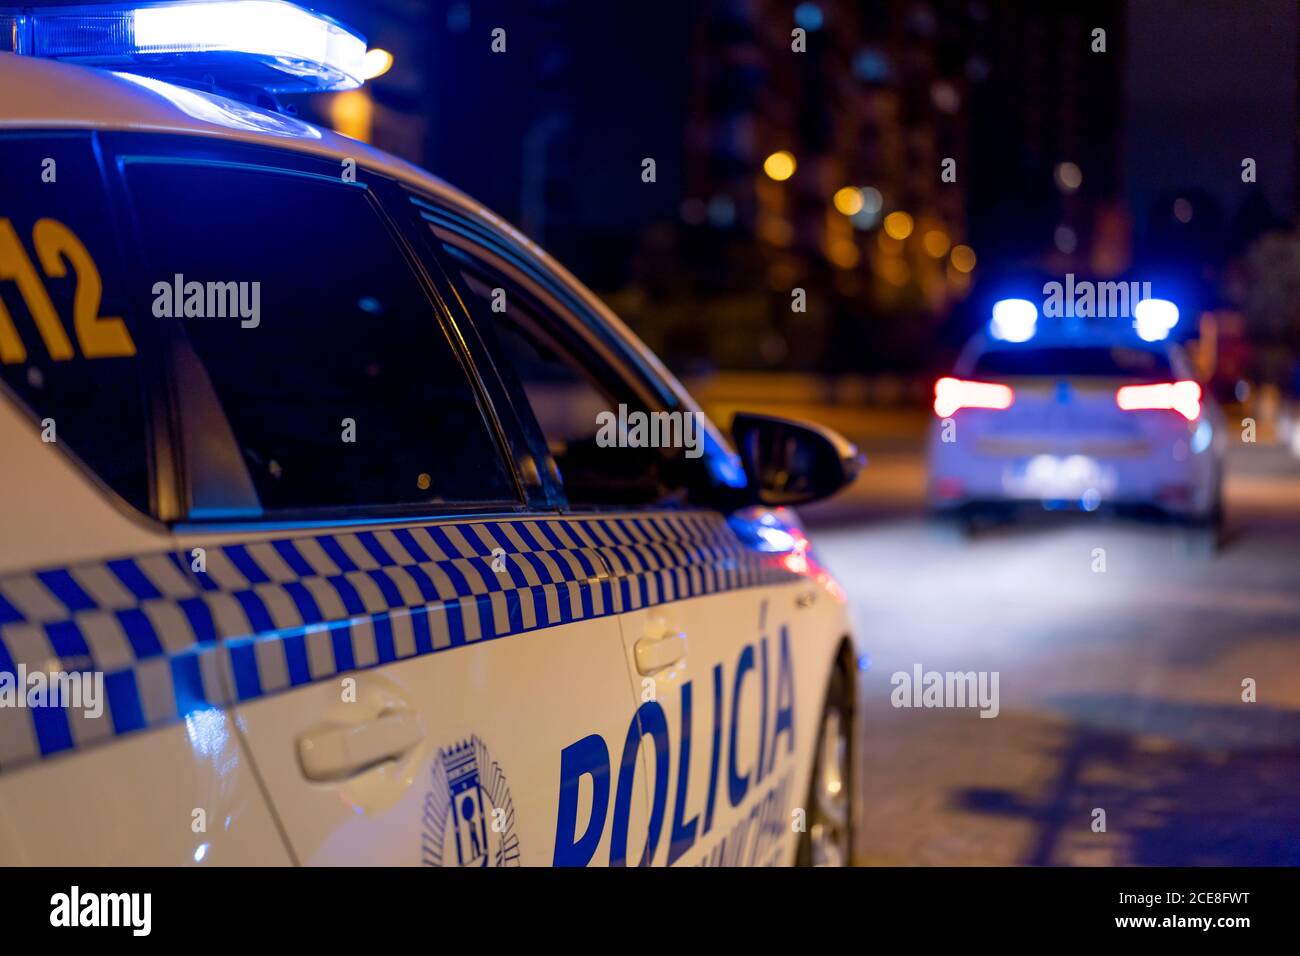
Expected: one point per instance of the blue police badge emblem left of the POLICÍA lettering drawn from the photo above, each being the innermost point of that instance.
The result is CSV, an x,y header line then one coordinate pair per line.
x,y
469,815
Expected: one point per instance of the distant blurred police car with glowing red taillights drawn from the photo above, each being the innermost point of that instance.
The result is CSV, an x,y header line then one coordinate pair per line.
x,y
1073,416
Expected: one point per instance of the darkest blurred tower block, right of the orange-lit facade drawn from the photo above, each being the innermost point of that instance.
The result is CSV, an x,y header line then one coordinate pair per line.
x,y
1048,137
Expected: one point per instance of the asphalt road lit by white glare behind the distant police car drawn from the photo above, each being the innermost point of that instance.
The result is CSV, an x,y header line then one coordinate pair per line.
x,y
1120,690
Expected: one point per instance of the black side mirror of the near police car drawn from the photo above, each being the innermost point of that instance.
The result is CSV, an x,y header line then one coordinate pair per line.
x,y
794,462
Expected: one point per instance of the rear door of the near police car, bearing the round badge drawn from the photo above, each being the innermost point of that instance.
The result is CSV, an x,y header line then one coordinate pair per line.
x,y
410,637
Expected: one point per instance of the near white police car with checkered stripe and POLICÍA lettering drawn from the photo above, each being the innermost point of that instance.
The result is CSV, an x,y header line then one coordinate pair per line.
x,y
332,533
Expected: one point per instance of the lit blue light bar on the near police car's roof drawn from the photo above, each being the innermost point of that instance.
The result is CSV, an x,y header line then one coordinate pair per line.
x,y
265,45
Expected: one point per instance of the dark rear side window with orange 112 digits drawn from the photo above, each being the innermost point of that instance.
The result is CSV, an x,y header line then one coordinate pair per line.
x,y
70,352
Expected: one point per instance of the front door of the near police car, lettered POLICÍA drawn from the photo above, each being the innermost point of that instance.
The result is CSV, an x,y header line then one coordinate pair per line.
x,y
710,608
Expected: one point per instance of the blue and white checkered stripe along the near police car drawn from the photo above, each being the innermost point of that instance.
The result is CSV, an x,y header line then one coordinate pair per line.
x,y
274,615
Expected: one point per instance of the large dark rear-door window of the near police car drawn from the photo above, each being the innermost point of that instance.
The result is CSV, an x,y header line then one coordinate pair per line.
x,y
322,345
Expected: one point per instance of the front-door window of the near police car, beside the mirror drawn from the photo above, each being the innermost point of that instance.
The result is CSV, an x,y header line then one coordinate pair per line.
x,y
578,401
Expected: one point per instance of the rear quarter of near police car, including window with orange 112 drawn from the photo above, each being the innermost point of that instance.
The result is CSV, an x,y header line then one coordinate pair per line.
x,y
109,756
